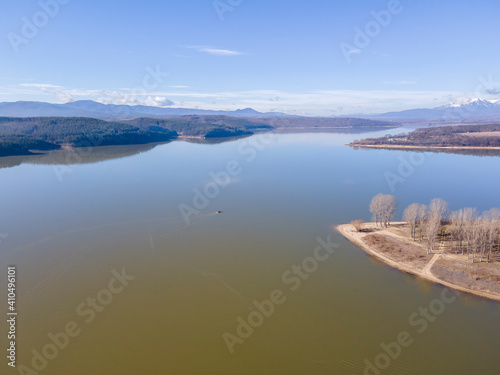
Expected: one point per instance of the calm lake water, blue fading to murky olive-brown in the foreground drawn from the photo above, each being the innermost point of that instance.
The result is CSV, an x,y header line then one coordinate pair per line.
x,y
68,226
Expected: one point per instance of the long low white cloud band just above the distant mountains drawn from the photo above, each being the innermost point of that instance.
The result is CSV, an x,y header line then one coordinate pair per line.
x,y
320,102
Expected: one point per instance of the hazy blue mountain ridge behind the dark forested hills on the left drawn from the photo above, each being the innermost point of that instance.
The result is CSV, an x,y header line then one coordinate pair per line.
x,y
89,108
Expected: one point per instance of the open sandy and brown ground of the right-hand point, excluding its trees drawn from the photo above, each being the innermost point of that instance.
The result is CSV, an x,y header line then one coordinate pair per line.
x,y
455,270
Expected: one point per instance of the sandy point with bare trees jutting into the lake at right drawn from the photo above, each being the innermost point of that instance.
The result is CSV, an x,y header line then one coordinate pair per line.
x,y
459,250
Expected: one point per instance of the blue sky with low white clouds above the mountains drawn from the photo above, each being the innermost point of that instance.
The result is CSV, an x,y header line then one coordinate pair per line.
x,y
314,57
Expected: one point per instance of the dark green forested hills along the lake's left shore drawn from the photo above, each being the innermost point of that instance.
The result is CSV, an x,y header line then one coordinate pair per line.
x,y
19,136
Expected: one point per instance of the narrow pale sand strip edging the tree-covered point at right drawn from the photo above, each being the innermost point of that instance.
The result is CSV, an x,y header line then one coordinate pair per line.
x,y
348,231
